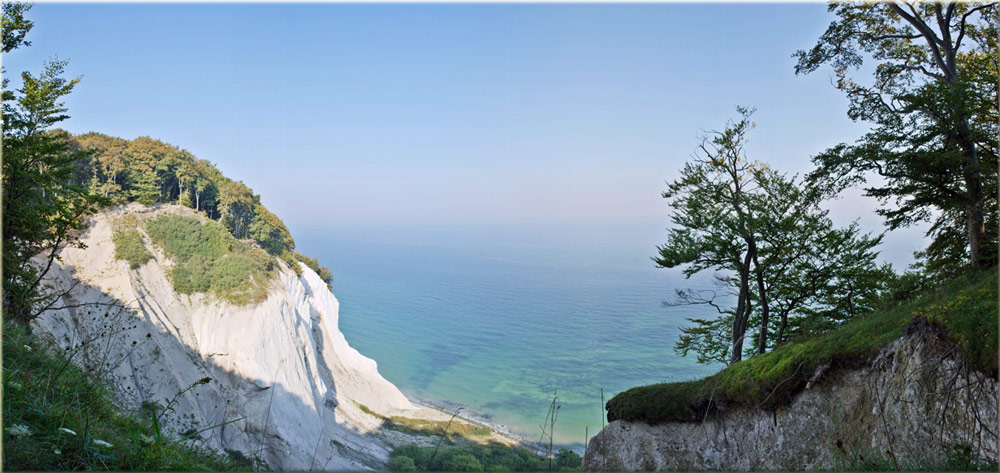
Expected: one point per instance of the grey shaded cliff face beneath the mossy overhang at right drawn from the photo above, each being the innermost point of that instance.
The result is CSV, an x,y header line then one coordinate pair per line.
x,y
917,401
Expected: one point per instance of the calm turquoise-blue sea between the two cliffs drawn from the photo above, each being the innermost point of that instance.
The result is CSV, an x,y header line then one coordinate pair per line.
x,y
496,319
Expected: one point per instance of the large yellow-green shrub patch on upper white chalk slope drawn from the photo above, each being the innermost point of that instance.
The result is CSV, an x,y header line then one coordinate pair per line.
x,y
207,259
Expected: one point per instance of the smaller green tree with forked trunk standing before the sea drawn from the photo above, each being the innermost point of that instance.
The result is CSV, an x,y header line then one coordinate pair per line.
x,y
775,250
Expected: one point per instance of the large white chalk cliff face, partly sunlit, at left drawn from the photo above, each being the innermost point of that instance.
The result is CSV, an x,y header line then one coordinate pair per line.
x,y
278,379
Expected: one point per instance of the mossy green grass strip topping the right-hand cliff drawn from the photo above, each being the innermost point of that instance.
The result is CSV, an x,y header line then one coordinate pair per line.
x,y
966,308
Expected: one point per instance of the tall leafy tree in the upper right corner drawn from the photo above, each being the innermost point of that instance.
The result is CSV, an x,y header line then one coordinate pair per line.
x,y
933,102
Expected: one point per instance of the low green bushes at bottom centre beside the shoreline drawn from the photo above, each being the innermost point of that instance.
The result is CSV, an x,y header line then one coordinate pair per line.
x,y
491,457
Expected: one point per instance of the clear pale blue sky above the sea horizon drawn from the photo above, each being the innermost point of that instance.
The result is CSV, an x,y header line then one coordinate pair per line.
x,y
448,113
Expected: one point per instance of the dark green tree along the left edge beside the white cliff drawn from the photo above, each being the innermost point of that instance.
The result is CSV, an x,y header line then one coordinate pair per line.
x,y
43,205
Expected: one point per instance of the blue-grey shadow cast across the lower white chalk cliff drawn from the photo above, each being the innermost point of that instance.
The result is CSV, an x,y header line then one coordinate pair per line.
x,y
147,361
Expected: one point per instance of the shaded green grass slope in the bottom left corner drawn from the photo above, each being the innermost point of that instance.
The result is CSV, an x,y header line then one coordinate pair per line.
x,y
58,417
